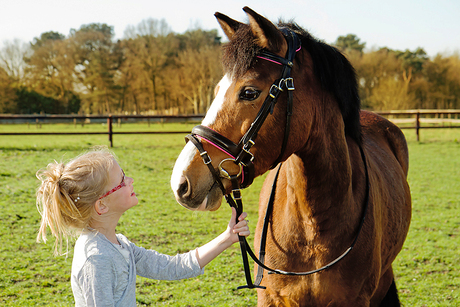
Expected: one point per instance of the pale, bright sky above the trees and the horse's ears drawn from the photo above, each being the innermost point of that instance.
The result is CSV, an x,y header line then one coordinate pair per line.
x,y
433,25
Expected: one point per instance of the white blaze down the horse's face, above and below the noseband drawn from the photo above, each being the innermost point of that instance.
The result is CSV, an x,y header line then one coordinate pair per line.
x,y
178,176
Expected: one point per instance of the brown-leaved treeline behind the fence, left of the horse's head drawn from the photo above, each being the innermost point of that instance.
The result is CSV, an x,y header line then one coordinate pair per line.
x,y
151,70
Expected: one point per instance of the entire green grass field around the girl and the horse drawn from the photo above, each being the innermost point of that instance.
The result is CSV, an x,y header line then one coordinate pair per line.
x,y
427,269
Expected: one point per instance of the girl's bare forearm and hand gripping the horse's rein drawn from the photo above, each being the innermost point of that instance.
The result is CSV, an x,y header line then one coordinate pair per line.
x,y
211,250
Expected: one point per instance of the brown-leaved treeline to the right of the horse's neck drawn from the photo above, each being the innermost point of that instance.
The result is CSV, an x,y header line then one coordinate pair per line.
x,y
394,80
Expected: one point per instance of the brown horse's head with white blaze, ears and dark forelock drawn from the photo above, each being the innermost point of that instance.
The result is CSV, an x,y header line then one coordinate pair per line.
x,y
256,58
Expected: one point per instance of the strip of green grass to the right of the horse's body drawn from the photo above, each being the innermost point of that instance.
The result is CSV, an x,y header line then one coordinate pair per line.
x,y
428,266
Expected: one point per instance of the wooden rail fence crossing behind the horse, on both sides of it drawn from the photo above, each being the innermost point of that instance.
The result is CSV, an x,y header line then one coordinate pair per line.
x,y
431,119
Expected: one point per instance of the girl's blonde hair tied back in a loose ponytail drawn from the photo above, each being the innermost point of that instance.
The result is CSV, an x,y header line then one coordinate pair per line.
x,y
68,192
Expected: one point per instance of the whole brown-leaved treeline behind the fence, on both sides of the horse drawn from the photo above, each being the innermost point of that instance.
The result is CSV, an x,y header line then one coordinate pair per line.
x,y
154,70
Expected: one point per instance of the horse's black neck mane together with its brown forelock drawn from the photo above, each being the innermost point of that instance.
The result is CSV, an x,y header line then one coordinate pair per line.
x,y
334,72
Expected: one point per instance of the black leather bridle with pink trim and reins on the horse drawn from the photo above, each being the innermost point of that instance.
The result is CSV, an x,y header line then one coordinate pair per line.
x,y
240,155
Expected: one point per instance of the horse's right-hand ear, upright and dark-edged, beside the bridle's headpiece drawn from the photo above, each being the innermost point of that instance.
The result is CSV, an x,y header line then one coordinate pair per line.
x,y
267,34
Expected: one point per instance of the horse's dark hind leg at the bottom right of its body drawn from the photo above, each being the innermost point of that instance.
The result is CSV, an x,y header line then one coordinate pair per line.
x,y
386,295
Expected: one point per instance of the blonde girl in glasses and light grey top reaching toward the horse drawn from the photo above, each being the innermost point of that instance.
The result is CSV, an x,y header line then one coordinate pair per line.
x,y
89,194
